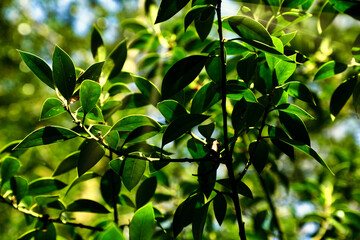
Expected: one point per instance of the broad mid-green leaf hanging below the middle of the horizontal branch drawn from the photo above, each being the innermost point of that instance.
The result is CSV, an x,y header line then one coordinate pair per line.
x,y
133,171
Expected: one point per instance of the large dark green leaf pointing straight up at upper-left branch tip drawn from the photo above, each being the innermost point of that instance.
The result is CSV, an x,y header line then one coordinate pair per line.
x,y
63,73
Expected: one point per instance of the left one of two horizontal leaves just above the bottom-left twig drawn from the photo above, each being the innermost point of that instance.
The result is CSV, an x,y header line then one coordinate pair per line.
x,y
45,185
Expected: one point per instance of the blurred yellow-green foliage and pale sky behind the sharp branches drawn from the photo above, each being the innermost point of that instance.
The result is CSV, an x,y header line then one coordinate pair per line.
x,y
310,202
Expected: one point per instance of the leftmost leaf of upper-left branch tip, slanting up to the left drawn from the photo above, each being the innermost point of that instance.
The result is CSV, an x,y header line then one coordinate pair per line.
x,y
39,67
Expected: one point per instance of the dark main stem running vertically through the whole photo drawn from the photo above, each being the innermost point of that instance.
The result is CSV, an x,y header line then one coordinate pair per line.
x,y
227,154
